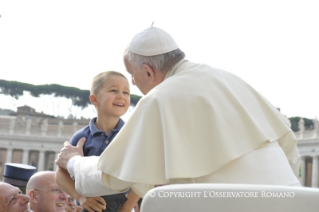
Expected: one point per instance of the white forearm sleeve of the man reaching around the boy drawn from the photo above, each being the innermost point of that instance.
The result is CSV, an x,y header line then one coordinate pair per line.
x,y
88,178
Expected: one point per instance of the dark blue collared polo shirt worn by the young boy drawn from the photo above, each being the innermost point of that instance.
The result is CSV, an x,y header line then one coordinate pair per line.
x,y
96,140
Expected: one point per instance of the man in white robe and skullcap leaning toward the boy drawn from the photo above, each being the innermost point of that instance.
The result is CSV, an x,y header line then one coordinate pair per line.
x,y
195,124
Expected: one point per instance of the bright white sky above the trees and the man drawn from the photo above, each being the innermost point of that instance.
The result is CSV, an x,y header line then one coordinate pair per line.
x,y
273,45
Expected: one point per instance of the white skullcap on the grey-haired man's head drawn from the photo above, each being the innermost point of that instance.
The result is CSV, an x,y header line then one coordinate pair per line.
x,y
152,41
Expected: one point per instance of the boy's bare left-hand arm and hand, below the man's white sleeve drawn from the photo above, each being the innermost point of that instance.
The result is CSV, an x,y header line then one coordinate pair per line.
x,y
64,180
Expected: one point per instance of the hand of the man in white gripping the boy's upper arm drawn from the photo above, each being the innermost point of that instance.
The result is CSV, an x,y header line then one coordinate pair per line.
x,y
68,151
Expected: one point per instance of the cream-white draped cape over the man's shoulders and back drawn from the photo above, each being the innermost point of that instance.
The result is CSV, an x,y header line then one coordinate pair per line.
x,y
191,125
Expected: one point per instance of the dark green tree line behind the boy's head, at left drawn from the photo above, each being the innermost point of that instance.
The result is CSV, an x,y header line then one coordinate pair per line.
x,y
79,97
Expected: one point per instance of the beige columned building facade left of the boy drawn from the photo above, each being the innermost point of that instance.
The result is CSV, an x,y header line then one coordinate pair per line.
x,y
34,140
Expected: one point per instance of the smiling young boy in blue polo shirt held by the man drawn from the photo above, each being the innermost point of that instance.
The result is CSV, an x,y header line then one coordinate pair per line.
x,y
110,94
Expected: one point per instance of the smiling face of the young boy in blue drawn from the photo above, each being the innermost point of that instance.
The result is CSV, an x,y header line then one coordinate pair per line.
x,y
113,98
